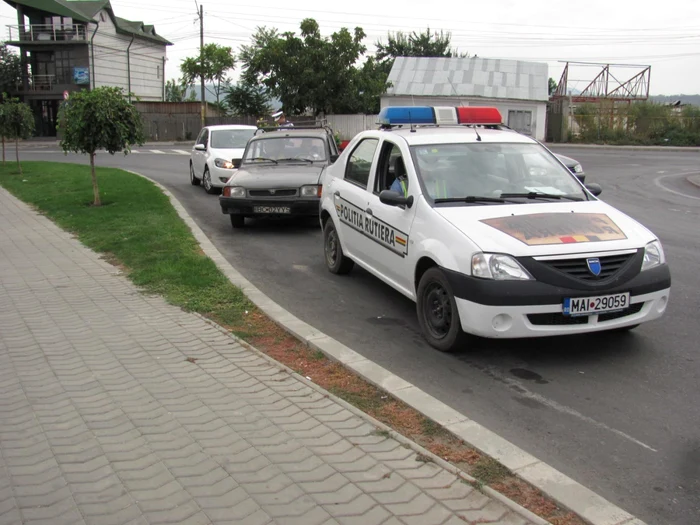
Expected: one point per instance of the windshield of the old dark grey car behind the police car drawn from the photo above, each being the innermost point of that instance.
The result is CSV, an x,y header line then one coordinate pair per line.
x,y
287,149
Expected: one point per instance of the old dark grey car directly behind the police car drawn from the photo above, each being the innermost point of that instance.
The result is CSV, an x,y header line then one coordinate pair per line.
x,y
280,174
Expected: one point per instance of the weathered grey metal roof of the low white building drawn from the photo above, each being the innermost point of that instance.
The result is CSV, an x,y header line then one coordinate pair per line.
x,y
469,77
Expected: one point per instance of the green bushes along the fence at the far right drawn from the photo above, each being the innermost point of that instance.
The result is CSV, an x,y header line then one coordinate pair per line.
x,y
641,123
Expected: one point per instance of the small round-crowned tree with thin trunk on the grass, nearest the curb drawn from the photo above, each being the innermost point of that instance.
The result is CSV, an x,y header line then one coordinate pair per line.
x,y
102,118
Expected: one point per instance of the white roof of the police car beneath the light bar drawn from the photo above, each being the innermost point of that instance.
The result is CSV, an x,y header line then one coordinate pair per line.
x,y
452,134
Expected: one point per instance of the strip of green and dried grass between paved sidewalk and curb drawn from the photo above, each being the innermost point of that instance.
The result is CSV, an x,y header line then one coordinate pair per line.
x,y
137,229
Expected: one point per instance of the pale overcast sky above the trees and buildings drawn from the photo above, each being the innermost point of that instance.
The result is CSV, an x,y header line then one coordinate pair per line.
x,y
664,35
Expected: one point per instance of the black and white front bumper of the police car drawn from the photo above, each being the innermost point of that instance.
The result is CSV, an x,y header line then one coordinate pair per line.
x,y
520,309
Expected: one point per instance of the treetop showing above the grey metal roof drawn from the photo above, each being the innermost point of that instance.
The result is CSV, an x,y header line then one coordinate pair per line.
x,y
421,44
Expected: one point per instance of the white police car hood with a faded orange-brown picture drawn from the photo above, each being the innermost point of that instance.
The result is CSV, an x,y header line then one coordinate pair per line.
x,y
547,228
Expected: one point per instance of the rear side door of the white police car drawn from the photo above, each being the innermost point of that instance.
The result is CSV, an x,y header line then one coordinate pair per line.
x,y
351,199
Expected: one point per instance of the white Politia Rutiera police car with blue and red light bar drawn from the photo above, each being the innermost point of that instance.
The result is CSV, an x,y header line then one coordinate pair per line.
x,y
486,230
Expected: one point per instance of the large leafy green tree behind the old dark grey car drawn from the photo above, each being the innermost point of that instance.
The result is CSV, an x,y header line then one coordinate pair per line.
x,y
311,72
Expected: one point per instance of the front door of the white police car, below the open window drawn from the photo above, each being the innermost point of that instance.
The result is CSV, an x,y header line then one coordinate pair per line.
x,y
390,226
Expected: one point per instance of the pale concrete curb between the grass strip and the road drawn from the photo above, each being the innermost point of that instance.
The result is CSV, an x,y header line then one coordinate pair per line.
x,y
593,508
